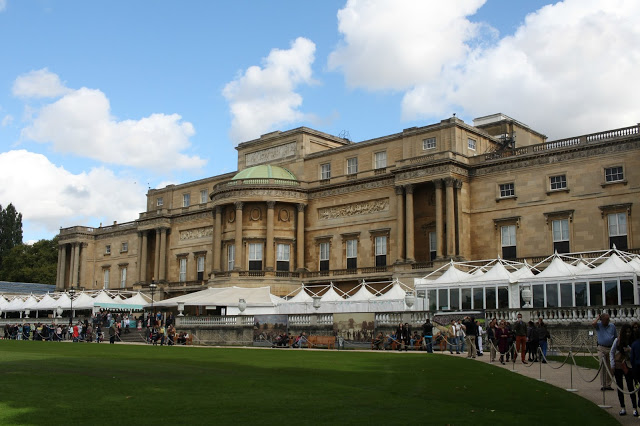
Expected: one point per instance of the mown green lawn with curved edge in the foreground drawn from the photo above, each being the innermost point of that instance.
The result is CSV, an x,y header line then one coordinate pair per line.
x,y
62,383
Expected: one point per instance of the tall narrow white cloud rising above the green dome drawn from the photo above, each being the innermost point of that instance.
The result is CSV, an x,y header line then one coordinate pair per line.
x,y
264,97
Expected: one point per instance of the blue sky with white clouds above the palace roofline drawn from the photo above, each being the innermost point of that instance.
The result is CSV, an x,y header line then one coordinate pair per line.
x,y
100,101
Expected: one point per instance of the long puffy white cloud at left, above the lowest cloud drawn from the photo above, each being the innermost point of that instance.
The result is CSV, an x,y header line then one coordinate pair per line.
x,y
81,123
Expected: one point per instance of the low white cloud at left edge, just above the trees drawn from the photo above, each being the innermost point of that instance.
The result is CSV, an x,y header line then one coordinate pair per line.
x,y
49,196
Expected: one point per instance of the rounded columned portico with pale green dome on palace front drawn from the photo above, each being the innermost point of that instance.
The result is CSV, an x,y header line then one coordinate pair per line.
x,y
259,223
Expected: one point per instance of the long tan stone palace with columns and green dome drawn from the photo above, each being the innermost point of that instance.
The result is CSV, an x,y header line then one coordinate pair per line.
x,y
308,207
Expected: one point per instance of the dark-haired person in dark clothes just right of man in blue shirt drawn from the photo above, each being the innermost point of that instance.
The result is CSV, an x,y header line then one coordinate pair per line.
x,y
619,361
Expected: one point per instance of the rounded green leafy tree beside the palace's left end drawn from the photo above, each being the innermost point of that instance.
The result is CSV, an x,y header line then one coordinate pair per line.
x,y
35,263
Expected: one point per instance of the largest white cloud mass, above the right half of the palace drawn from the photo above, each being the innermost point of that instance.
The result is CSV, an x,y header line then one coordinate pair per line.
x,y
570,68
